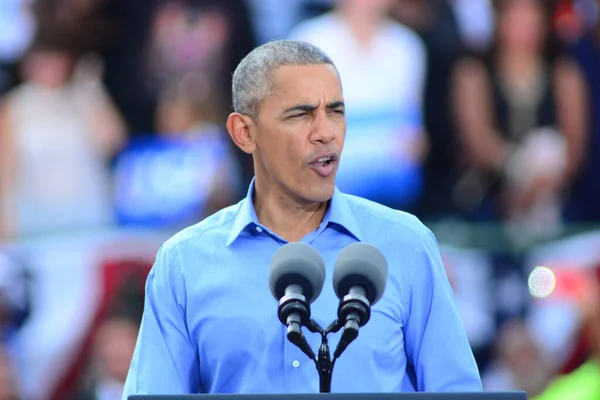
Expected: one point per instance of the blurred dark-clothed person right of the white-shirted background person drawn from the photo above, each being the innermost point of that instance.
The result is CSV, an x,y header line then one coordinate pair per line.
x,y
436,22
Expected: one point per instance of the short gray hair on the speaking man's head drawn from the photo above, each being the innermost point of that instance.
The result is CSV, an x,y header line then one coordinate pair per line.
x,y
252,77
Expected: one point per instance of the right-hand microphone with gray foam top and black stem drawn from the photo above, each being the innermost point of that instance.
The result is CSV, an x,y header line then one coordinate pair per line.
x,y
359,280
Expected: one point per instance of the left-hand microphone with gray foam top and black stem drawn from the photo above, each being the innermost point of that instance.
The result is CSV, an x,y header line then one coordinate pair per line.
x,y
296,279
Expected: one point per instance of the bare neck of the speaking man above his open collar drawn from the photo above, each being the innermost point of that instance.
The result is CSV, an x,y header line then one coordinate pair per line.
x,y
283,215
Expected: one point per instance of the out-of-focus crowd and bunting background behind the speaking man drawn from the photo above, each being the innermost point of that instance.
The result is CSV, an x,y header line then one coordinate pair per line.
x,y
481,117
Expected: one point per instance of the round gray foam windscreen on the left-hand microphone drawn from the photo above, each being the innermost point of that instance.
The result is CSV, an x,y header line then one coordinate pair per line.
x,y
297,263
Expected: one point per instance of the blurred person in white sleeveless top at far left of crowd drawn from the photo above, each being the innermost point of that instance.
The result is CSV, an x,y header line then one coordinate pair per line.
x,y
58,130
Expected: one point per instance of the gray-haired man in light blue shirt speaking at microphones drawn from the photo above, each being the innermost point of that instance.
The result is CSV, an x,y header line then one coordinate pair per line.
x,y
210,323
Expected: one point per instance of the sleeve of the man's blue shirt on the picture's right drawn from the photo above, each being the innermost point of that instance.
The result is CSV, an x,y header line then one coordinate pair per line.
x,y
436,342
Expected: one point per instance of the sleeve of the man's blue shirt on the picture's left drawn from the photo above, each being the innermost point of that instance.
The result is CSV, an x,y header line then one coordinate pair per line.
x,y
165,359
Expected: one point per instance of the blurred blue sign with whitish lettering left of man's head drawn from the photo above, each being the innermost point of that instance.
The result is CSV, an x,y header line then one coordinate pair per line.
x,y
162,181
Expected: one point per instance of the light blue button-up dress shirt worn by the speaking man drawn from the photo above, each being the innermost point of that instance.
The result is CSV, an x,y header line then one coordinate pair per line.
x,y
210,322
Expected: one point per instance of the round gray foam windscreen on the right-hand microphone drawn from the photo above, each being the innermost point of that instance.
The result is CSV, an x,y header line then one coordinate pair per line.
x,y
360,264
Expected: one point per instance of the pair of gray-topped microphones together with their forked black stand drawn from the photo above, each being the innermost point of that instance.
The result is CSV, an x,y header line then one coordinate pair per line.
x,y
296,280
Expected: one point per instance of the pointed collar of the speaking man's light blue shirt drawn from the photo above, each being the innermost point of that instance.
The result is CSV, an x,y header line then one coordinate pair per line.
x,y
338,213
